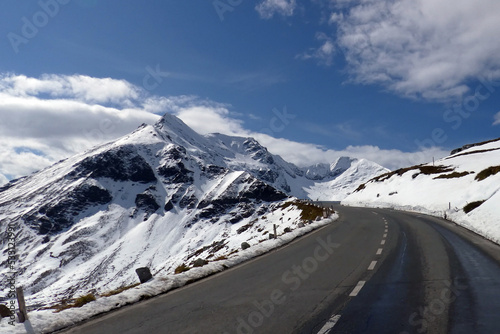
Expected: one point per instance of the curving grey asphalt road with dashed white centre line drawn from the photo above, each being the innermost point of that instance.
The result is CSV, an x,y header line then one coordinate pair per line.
x,y
371,271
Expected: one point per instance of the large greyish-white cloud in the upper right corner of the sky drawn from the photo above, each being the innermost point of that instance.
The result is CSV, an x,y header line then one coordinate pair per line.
x,y
421,49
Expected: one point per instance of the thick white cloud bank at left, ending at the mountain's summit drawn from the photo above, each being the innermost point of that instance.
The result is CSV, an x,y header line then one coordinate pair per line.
x,y
50,118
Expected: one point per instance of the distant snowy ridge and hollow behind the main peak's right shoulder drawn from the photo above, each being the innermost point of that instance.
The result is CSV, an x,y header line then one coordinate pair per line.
x,y
327,182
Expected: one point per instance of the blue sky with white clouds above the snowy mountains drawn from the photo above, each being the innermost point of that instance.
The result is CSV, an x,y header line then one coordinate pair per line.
x,y
394,81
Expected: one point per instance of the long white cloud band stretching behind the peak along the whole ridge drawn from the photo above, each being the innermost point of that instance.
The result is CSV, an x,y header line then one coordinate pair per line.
x,y
46,120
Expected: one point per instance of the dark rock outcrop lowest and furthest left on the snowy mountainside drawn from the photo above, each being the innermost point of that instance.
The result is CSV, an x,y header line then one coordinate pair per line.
x,y
54,217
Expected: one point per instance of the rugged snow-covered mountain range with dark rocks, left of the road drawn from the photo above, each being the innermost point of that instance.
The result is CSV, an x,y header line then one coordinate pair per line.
x,y
159,197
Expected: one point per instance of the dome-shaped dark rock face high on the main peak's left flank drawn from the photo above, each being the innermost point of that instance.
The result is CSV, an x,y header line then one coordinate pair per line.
x,y
121,164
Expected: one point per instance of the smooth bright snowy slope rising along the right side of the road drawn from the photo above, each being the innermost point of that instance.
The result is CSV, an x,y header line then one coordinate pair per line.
x,y
468,179
